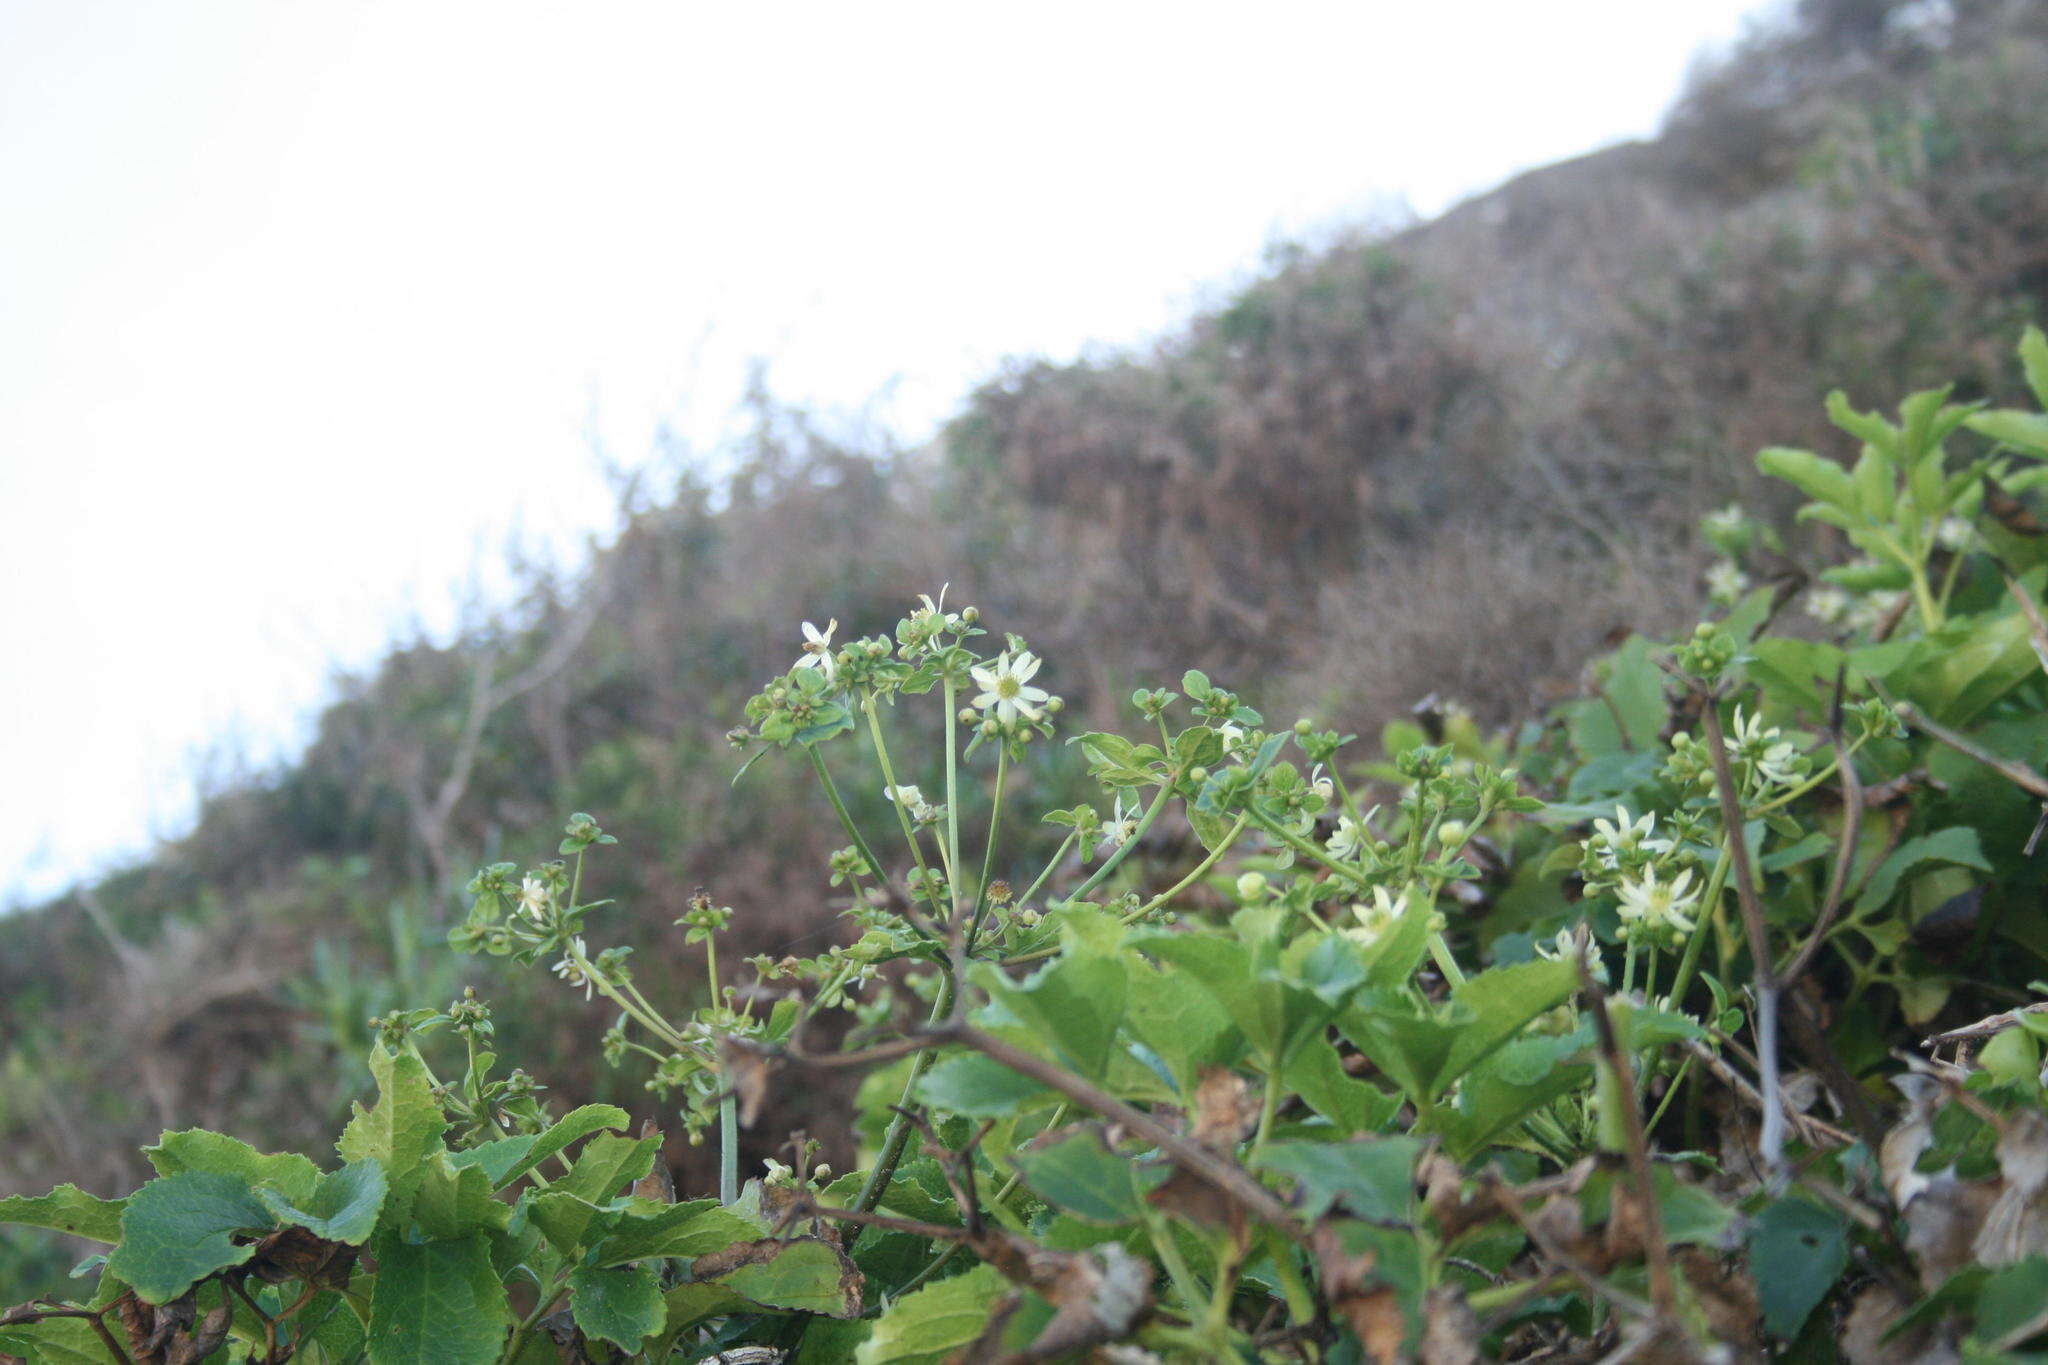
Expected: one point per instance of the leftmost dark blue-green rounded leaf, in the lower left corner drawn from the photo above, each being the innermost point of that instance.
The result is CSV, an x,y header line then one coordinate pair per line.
x,y
179,1229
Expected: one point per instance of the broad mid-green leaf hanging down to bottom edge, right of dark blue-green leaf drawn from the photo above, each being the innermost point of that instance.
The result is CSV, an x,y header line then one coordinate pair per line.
x,y
437,1305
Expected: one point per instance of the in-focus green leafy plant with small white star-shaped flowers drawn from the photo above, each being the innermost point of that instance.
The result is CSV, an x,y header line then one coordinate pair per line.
x,y
1469,1049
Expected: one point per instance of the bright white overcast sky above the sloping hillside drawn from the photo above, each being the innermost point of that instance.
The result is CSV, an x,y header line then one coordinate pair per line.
x,y
306,306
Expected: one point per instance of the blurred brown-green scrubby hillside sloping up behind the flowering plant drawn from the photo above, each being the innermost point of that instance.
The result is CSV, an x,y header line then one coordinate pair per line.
x,y
1451,459
